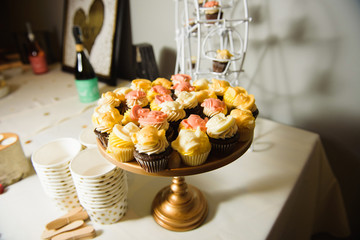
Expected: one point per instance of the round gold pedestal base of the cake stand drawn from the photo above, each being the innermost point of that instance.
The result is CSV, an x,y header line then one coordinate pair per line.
x,y
179,207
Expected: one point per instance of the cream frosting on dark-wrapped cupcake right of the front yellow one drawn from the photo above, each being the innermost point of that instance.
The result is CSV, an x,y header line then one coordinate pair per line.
x,y
221,126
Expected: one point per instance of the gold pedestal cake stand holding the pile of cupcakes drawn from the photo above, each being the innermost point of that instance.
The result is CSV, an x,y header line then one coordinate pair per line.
x,y
180,207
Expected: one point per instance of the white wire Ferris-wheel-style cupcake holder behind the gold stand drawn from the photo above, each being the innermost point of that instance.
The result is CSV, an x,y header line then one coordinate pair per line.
x,y
198,38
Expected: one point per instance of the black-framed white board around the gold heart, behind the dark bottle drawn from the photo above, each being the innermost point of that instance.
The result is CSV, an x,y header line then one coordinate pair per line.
x,y
105,53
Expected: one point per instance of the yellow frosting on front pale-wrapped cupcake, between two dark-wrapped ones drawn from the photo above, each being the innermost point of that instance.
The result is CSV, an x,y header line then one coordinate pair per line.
x,y
191,142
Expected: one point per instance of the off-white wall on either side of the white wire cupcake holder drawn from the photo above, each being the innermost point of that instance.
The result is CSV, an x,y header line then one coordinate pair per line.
x,y
302,65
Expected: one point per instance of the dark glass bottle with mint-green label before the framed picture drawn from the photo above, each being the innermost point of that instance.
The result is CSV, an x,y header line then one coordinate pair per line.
x,y
85,77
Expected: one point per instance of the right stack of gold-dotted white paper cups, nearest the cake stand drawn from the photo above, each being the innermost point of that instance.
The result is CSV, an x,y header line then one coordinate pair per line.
x,y
101,186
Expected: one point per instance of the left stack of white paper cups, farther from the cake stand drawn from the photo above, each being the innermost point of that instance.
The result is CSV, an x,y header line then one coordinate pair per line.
x,y
51,163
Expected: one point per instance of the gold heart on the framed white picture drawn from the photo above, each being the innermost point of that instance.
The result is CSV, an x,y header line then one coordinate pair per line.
x,y
90,25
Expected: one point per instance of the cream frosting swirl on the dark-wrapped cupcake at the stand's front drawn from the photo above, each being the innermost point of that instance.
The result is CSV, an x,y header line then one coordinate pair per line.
x,y
150,141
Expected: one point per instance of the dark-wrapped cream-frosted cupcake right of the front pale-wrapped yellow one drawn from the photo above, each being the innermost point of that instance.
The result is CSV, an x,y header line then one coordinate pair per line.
x,y
223,133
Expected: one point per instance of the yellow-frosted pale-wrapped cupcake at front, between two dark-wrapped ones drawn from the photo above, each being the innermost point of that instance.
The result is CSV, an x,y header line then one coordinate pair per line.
x,y
193,146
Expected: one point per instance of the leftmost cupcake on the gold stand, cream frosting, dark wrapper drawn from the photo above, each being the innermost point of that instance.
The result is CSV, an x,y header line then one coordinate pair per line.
x,y
104,119
